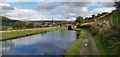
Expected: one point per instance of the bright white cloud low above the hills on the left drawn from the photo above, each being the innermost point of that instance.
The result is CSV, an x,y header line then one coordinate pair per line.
x,y
25,14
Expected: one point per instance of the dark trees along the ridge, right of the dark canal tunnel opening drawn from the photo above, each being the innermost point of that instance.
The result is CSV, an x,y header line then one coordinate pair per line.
x,y
80,20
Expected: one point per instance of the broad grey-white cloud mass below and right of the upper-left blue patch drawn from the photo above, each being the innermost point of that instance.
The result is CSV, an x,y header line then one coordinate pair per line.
x,y
57,10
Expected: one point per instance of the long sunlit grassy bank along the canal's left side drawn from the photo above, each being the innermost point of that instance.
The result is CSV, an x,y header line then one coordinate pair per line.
x,y
20,33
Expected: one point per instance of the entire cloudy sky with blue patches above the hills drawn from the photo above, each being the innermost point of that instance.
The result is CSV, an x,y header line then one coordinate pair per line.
x,y
60,10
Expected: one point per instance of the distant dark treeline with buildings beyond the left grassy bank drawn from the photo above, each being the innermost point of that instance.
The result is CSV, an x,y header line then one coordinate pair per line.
x,y
9,24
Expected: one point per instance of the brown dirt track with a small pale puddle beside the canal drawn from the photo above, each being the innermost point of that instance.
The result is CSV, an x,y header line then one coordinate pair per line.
x,y
91,48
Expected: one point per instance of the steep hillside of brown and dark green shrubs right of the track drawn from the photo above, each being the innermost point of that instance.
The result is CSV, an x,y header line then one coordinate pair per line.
x,y
106,29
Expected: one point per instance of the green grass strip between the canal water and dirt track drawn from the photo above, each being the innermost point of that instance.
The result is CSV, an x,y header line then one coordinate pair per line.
x,y
74,48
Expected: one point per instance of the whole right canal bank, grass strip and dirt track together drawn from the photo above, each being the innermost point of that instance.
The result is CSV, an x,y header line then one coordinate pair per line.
x,y
83,45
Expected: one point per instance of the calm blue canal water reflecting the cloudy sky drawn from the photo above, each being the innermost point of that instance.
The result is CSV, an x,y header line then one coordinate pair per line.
x,y
50,43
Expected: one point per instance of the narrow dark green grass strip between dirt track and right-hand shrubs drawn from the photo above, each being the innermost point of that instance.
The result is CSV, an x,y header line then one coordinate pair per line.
x,y
99,46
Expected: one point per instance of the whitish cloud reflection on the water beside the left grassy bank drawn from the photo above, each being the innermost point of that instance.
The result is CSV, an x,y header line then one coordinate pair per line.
x,y
26,40
